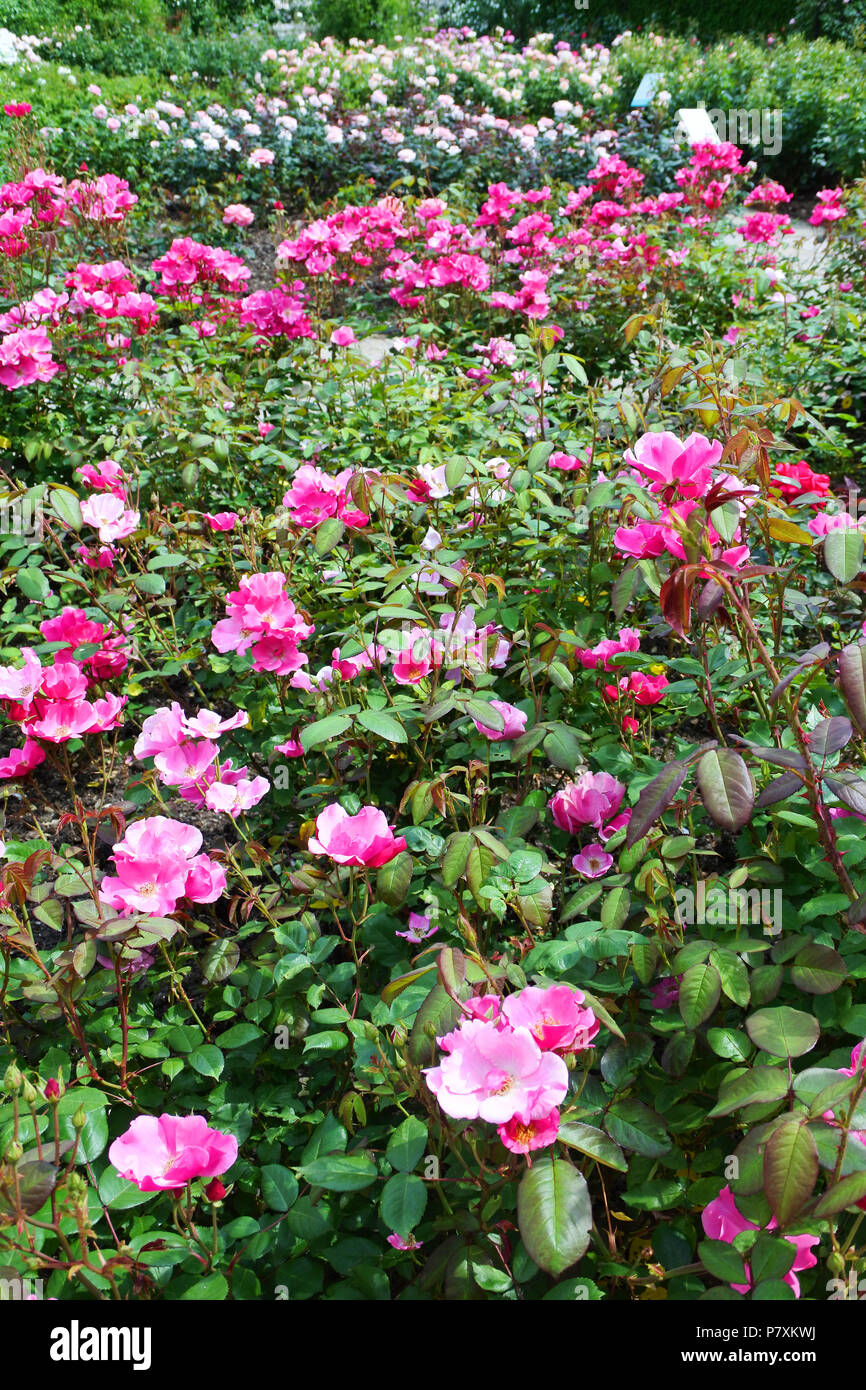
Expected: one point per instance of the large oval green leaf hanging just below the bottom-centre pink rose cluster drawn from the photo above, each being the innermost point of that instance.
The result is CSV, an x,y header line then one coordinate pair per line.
x,y
554,1214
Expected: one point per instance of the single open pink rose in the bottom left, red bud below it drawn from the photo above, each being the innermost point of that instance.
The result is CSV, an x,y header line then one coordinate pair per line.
x,y
168,1152
